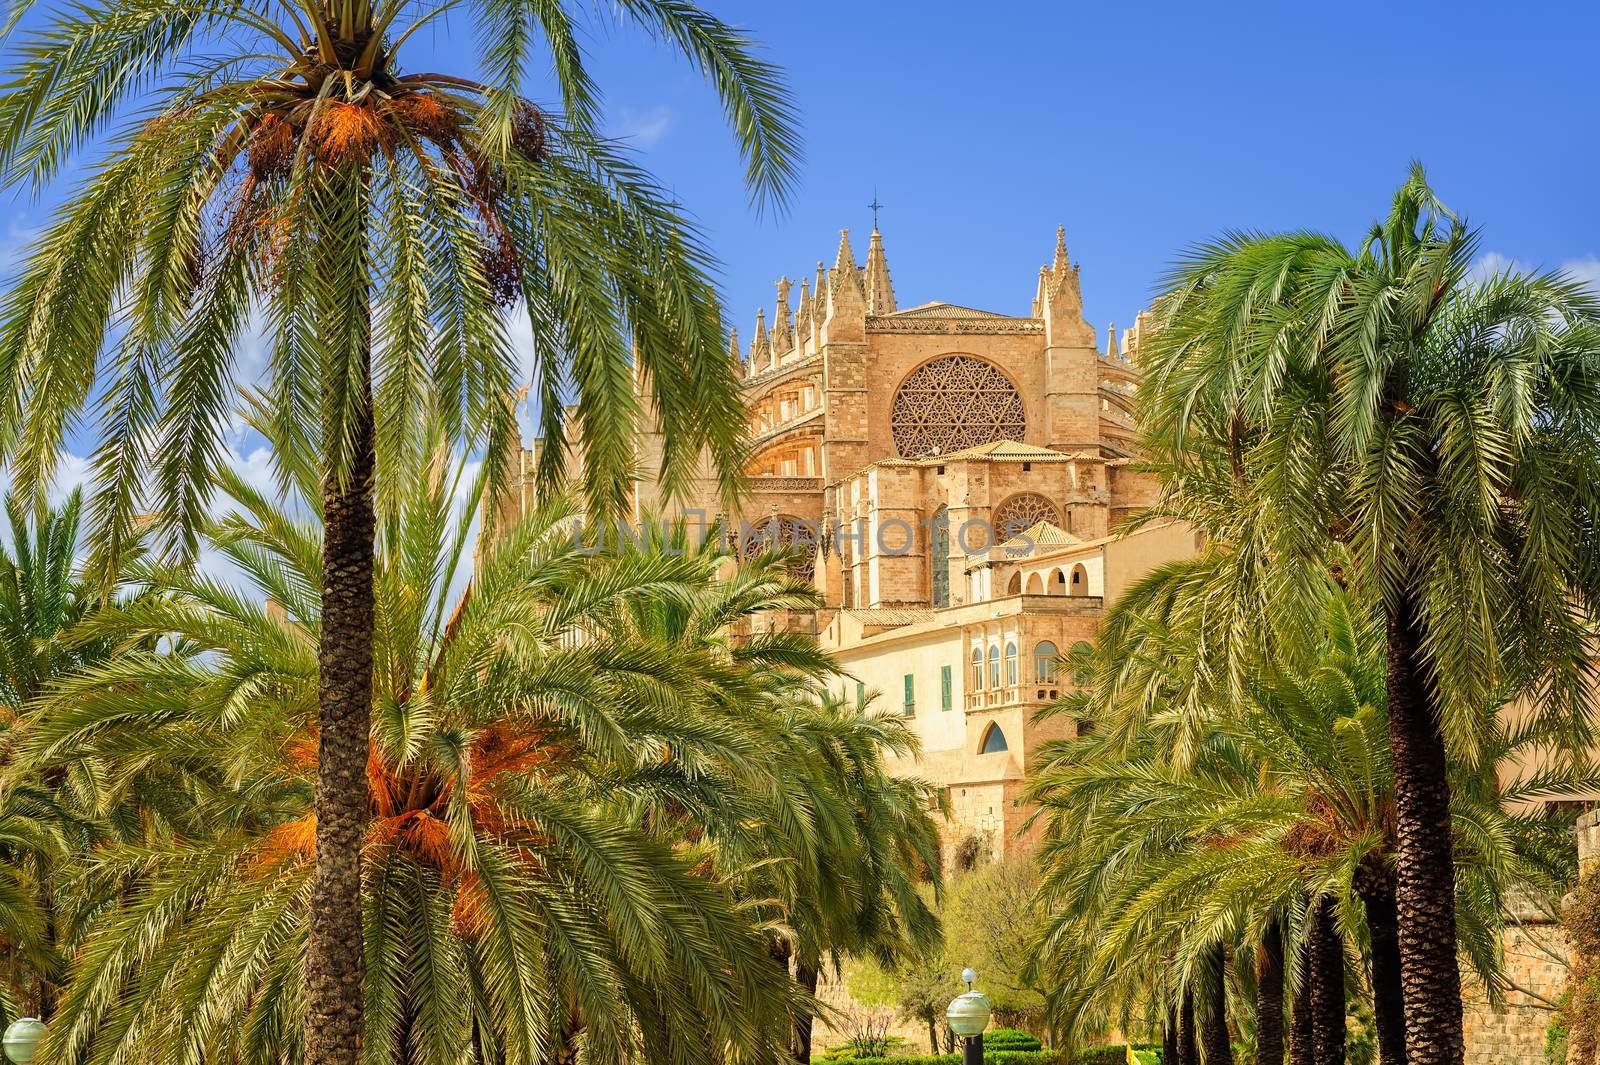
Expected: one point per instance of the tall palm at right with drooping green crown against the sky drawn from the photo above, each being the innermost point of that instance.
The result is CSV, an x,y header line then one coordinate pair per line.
x,y
1444,433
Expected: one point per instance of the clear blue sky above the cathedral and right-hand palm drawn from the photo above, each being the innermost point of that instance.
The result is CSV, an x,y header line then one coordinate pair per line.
x,y
1138,127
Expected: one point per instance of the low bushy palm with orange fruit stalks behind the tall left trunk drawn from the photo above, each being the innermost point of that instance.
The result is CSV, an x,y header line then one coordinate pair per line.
x,y
529,893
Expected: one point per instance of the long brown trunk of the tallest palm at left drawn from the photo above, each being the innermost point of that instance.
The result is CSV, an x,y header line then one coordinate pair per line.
x,y
335,971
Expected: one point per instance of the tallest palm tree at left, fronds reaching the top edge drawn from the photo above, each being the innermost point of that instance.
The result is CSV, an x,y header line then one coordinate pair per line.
x,y
386,220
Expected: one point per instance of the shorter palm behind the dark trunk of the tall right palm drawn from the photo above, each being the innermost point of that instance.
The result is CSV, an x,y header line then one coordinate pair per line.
x,y
1281,828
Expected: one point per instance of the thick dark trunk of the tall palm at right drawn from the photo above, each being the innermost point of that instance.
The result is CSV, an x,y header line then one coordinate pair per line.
x,y
1425,861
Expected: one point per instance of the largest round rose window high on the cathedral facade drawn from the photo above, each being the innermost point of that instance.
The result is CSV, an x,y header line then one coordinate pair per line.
x,y
951,404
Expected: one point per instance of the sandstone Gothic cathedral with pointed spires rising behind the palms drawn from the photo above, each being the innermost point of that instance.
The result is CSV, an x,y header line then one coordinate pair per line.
x,y
956,477
